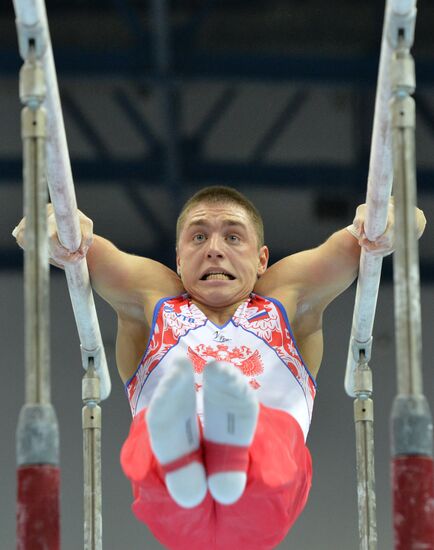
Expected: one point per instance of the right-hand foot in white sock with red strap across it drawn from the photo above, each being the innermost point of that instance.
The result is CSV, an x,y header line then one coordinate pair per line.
x,y
230,417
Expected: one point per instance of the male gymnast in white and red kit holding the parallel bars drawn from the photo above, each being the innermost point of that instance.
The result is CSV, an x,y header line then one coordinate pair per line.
x,y
219,362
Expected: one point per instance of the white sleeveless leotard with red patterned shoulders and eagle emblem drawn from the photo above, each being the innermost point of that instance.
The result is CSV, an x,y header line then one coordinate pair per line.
x,y
257,340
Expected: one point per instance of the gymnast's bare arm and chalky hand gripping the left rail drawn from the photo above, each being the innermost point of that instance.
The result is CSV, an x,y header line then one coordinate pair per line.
x,y
130,284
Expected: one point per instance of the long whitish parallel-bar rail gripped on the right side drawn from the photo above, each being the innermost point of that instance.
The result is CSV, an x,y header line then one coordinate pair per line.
x,y
400,17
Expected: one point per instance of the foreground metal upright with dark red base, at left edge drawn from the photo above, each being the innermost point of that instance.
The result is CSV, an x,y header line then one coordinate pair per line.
x,y
37,430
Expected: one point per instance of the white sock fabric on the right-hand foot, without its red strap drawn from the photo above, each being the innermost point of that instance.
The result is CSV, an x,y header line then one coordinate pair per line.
x,y
230,417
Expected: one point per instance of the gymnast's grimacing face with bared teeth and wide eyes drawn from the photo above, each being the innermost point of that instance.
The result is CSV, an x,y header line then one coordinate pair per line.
x,y
218,257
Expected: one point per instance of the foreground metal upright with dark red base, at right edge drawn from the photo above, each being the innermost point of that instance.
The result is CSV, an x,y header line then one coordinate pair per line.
x,y
412,437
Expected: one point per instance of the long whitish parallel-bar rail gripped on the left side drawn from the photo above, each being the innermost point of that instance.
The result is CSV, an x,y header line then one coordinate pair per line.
x,y
33,29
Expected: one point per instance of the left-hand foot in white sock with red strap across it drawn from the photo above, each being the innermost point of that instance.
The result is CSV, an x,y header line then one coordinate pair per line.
x,y
174,434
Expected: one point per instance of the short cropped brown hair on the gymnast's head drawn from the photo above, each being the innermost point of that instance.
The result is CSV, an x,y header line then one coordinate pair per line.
x,y
215,194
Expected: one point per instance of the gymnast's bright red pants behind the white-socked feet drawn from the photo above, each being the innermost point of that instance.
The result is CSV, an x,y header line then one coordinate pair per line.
x,y
278,483
